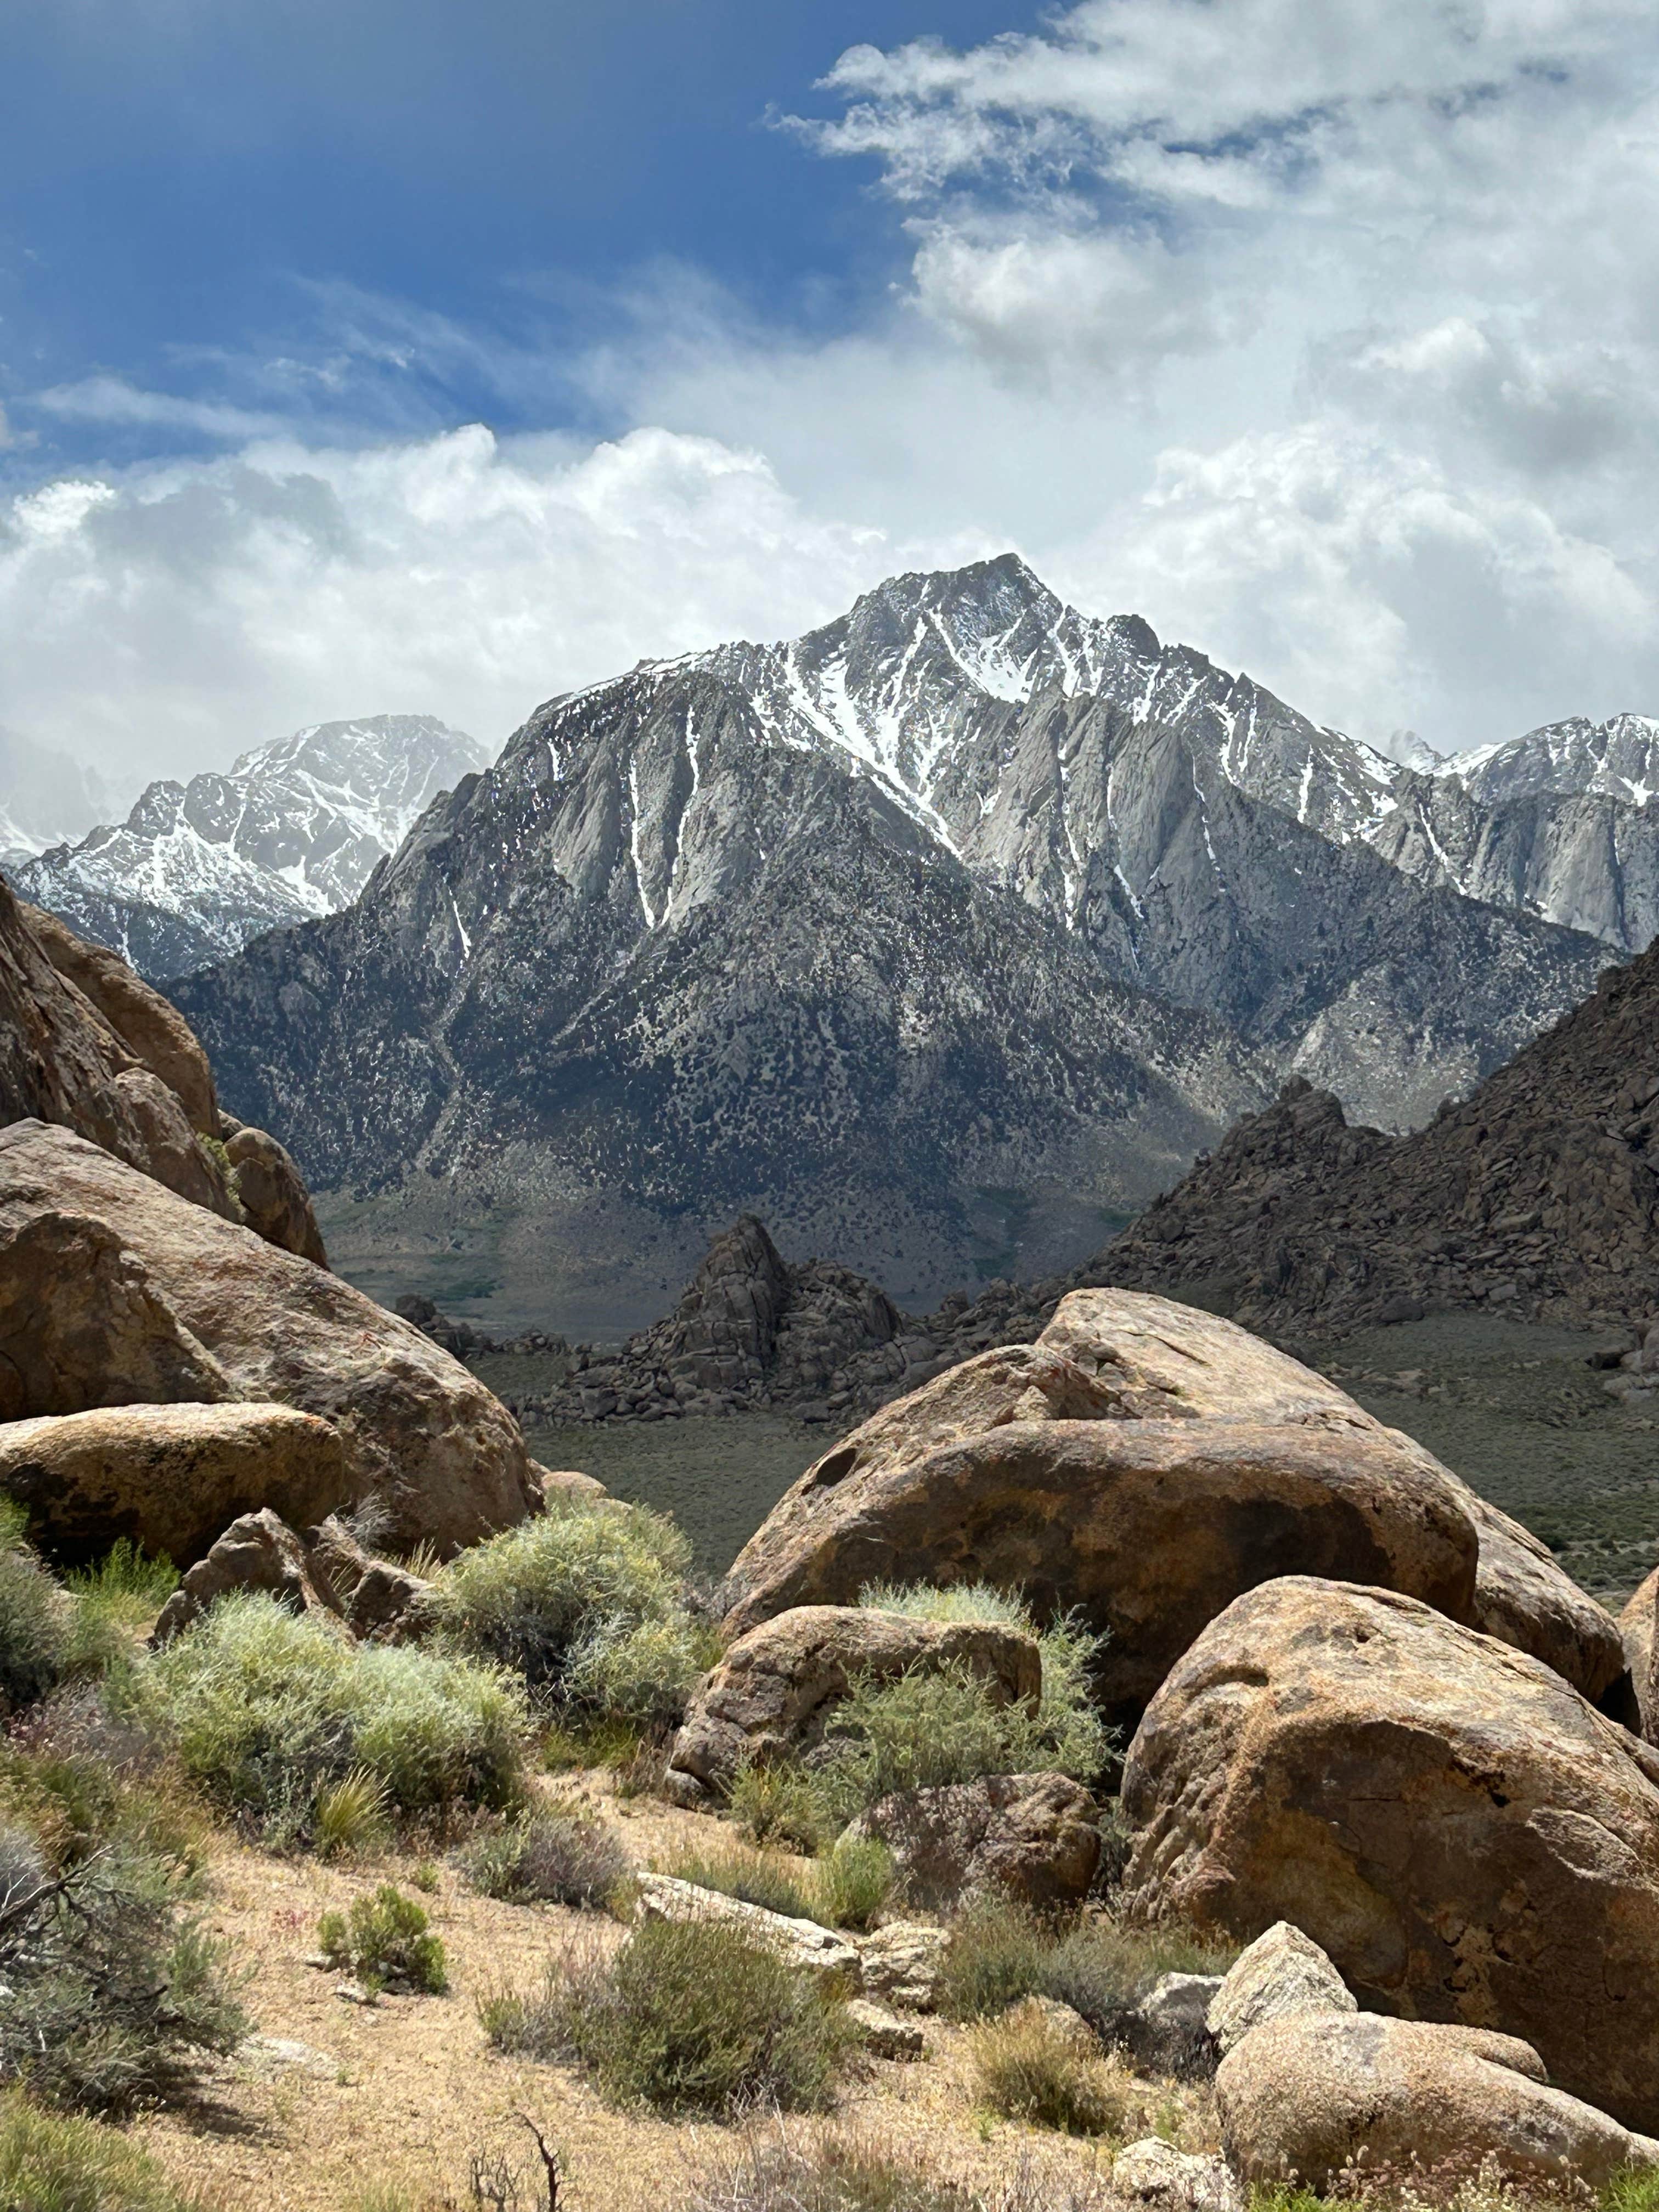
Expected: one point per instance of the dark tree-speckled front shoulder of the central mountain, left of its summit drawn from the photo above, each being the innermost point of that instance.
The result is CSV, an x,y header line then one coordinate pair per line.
x,y
700,972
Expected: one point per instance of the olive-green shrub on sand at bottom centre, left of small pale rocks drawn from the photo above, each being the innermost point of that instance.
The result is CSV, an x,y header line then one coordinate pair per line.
x,y
687,2018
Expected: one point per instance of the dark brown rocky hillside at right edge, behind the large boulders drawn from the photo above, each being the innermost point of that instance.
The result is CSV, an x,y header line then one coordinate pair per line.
x,y
1538,1196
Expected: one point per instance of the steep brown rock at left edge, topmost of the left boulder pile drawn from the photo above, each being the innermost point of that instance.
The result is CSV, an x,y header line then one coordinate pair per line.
x,y
63,1063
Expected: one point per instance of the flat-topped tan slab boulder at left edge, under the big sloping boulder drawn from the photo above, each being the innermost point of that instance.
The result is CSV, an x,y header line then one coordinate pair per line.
x,y
167,1477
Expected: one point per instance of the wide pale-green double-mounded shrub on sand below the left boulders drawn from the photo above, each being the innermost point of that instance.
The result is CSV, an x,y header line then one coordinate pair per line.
x,y
271,1709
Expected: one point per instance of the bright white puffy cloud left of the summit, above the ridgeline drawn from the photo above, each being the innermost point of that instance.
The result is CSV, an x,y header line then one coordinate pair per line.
x,y
174,616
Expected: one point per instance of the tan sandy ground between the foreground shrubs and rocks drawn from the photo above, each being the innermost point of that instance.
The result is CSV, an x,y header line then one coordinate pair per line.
x,y
337,2107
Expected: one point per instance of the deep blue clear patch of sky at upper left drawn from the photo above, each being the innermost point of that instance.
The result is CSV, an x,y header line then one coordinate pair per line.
x,y
196,185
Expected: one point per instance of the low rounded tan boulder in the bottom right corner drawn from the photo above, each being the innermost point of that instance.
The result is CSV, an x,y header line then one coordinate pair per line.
x,y
1322,2091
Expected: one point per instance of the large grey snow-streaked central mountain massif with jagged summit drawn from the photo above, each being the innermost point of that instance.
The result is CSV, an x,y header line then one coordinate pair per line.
x,y
941,937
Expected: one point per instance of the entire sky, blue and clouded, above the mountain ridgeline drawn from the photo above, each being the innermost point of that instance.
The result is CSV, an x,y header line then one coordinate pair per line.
x,y
430,357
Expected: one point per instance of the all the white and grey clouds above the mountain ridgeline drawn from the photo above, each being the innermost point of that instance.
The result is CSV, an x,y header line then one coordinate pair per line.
x,y
1322,335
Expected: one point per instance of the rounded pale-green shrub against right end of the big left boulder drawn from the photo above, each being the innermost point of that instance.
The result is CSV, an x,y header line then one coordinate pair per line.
x,y
587,1605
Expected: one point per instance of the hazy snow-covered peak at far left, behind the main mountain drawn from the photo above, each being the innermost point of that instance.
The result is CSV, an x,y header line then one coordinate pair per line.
x,y
291,833
